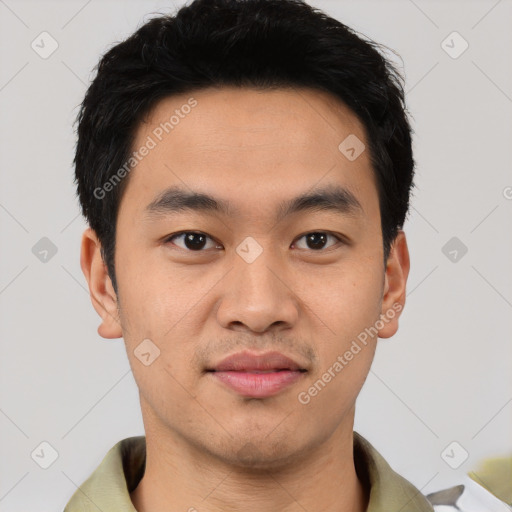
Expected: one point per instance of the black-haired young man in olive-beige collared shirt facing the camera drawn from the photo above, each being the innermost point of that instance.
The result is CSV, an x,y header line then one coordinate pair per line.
x,y
245,169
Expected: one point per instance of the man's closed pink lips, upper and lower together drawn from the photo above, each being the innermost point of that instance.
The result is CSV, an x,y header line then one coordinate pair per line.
x,y
257,375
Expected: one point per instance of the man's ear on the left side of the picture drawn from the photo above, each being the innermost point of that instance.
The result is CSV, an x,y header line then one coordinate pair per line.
x,y
103,296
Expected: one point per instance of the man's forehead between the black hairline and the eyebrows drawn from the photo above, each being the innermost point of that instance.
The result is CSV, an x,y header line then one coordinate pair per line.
x,y
261,146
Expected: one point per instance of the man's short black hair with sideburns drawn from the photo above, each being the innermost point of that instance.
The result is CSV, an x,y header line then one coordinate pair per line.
x,y
264,44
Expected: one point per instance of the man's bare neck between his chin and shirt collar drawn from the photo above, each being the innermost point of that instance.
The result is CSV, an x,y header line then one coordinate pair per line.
x,y
183,477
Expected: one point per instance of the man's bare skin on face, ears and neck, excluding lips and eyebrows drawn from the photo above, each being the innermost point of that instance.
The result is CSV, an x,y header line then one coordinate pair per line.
x,y
208,447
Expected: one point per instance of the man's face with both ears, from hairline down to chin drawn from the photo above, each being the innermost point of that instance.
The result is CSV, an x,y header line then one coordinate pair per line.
x,y
250,269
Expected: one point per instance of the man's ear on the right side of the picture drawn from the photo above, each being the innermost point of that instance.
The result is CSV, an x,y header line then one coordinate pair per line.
x,y
395,280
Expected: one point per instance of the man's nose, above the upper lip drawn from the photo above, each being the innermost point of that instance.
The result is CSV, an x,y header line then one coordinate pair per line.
x,y
258,296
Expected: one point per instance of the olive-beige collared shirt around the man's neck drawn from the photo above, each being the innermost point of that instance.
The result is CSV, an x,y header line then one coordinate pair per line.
x,y
108,488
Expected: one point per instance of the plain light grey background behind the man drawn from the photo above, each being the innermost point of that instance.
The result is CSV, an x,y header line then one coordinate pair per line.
x,y
444,377
